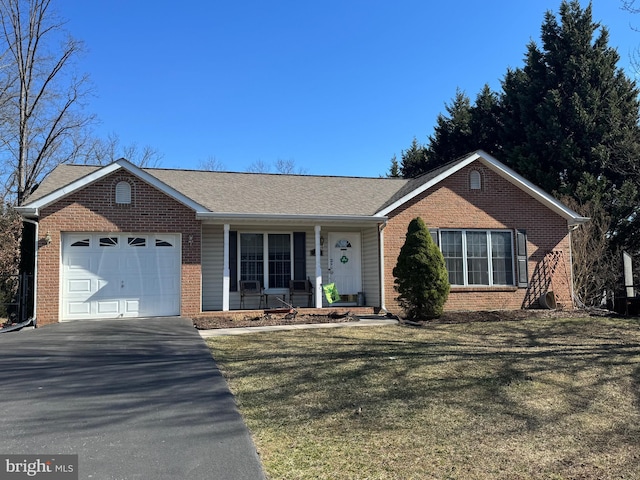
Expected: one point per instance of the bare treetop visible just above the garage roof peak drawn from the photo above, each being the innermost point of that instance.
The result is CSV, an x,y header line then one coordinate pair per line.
x,y
104,151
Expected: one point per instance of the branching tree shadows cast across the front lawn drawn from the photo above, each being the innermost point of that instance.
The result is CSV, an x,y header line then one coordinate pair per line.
x,y
580,375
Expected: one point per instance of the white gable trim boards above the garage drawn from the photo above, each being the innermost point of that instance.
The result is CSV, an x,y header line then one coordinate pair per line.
x,y
33,208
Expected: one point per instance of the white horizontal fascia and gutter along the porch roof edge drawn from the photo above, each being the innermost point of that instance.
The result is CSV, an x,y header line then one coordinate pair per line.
x,y
220,217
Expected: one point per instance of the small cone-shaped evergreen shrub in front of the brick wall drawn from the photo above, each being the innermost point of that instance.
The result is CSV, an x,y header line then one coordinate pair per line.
x,y
421,277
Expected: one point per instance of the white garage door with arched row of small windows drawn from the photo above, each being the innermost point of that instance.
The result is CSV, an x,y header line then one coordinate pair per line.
x,y
111,275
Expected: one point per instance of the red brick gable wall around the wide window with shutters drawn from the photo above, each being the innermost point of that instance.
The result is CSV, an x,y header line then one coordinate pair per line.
x,y
498,205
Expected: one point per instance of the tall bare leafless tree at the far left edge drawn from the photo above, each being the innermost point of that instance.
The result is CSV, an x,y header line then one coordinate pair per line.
x,y
43,112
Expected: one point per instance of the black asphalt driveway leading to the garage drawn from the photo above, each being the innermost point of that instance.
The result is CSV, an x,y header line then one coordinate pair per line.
x,y
135,399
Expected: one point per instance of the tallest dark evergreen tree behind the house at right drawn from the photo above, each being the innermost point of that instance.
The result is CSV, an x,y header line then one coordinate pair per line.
x,y
570,116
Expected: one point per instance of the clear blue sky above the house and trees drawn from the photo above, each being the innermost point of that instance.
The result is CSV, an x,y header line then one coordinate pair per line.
x,y
338,86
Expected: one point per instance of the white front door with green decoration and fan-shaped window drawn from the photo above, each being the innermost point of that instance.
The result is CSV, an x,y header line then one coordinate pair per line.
x,y
345,262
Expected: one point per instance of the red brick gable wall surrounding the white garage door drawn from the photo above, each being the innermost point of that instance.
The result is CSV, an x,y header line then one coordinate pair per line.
x,y
93,209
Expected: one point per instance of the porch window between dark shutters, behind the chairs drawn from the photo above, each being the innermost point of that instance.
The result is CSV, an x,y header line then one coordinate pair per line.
x,y
267,258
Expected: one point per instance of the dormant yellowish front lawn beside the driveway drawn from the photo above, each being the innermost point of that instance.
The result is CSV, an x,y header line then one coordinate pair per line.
x,y
533,399
